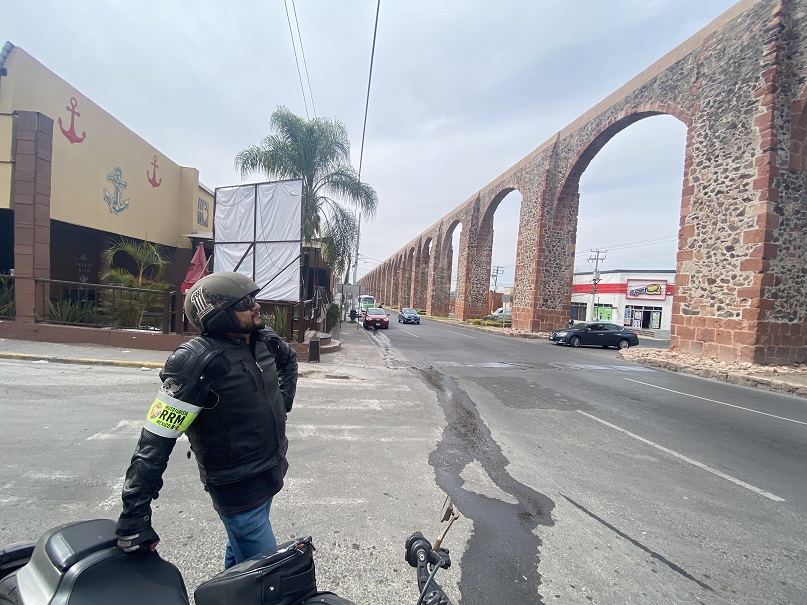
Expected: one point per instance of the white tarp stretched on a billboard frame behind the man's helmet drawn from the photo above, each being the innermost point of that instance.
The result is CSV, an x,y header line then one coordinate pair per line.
x,y
257,228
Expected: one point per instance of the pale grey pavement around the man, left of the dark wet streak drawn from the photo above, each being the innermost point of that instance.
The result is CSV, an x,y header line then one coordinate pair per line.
x,y
359,480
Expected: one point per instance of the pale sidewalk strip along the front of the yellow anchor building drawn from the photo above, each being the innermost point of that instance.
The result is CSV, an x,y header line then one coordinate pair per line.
x,y
357,352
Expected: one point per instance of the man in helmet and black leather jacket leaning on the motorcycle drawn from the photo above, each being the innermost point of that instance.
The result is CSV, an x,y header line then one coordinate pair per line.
x,y
229,390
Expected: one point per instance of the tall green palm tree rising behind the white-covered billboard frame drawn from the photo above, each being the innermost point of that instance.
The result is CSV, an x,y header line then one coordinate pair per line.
x,y
318,152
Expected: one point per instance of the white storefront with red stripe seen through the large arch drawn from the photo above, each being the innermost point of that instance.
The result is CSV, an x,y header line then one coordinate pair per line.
x,y
639,299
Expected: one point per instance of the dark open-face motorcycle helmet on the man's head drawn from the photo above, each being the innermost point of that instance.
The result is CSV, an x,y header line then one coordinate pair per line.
x,y
208,301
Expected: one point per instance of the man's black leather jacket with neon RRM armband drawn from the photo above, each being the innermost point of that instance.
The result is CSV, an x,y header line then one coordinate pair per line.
x,y
241,394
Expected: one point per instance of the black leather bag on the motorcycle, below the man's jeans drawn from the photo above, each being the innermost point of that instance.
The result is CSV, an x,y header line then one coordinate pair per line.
x,y
284,577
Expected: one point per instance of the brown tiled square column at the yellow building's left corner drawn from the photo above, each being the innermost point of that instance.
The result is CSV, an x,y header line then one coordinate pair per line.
x,y
33,140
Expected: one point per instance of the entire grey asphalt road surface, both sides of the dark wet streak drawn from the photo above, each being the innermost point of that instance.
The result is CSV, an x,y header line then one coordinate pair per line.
x,y
580,478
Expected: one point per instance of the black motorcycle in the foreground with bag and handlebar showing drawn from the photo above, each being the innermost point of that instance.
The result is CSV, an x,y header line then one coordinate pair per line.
x,y
80,564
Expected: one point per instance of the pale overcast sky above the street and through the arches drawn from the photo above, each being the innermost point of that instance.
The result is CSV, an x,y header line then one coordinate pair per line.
x,y
461,91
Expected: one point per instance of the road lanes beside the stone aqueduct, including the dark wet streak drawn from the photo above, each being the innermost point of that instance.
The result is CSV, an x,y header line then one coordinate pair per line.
x,y
608,481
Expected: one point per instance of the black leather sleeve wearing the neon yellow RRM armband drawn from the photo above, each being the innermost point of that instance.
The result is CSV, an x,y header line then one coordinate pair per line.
x,y
186,386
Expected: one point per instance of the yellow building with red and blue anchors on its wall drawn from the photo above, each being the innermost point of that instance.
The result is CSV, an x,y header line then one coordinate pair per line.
x,y
73,179
